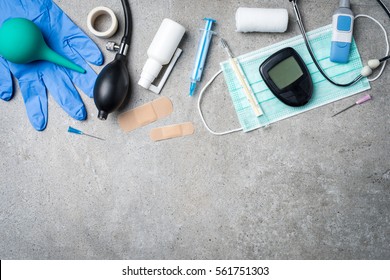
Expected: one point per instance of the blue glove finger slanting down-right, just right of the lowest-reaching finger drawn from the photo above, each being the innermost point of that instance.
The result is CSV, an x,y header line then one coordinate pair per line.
x,y
63,91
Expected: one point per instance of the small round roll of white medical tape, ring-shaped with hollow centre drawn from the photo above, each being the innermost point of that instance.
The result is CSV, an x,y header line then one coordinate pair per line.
x,y
97,12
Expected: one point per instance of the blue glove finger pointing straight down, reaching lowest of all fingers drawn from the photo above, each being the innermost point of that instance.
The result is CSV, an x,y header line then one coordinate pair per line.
x,y
35,98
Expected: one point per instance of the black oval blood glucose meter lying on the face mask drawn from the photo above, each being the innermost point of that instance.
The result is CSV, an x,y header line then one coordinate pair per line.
x,y
287,77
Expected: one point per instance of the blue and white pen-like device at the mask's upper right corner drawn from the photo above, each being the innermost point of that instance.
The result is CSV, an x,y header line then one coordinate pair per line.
x,y
342,33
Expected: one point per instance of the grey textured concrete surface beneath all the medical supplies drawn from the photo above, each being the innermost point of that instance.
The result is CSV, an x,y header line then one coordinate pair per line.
x,y
310,187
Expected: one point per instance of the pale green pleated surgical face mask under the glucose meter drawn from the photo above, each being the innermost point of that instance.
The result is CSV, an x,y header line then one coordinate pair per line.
x,y
323,93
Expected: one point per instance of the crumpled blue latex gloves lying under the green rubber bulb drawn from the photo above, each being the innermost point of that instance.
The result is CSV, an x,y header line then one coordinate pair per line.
x,y
64,37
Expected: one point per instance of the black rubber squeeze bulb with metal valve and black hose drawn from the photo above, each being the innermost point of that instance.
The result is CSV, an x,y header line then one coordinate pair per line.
x,y
112,84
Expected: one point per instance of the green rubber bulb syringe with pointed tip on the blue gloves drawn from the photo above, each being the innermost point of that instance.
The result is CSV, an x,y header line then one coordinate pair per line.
x,y
21,41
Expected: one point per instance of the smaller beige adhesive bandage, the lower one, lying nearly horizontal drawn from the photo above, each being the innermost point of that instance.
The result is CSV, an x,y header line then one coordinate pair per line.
x,y
172,131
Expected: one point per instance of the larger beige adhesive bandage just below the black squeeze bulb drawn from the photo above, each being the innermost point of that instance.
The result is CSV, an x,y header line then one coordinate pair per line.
x,y
145,114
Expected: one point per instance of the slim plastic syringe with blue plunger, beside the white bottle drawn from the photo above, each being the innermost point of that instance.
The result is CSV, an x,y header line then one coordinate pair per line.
x,y
201,55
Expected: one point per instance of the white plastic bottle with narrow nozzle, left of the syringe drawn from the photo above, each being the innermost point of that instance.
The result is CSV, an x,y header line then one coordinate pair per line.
x,y
161,50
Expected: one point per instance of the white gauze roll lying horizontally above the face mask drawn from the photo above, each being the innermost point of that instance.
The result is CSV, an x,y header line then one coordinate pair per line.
x,y
261,20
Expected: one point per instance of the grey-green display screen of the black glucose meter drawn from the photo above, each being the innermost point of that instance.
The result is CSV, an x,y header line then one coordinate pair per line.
x,y
285,72
